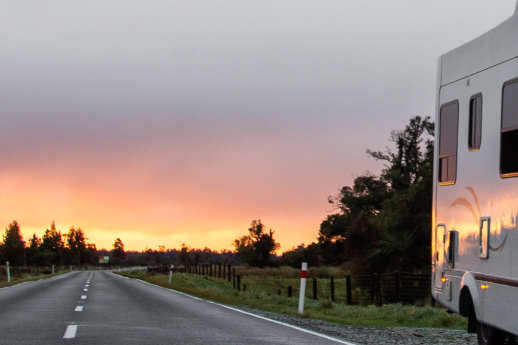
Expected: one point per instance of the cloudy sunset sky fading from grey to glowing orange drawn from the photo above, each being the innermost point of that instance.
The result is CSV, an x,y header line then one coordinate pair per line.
x,y
163,122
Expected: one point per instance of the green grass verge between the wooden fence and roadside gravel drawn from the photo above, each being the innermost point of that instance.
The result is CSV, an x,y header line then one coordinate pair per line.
x,y
394,315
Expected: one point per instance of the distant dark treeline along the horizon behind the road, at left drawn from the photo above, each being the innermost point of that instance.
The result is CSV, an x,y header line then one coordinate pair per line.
x,y
72,248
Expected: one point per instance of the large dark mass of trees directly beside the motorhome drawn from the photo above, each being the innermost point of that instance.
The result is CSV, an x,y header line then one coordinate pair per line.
x,y
381,223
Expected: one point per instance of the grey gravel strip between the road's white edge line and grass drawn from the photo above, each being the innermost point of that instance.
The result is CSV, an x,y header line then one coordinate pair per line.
x,y
373,335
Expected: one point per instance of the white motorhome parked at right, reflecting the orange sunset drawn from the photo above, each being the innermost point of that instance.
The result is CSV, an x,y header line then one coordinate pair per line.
x,y
475,207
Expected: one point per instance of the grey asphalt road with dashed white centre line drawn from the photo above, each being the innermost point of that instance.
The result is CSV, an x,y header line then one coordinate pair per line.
x,y
93,307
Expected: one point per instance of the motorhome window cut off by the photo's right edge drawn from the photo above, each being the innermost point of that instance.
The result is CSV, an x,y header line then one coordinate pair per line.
x,y
509,132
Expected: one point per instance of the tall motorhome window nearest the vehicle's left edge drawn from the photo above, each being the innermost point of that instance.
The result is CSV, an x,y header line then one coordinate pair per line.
x,y
449,116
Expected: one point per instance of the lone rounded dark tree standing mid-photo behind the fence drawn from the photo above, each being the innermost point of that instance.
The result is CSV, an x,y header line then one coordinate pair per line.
x,y
255,248
